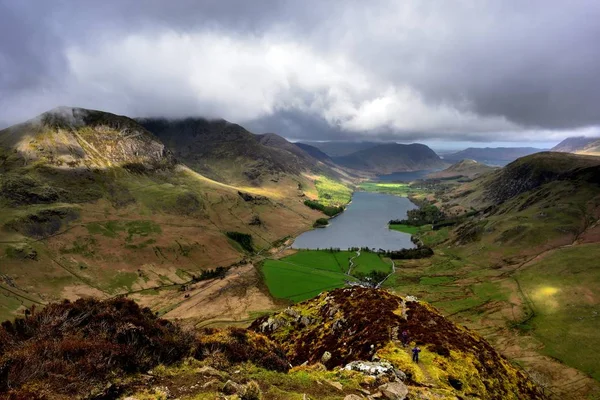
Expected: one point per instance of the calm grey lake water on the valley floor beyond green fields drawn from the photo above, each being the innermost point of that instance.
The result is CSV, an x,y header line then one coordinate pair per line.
x,y
363,224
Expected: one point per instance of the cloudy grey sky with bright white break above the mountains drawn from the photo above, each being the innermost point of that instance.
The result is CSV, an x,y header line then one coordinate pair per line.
x,y
433,71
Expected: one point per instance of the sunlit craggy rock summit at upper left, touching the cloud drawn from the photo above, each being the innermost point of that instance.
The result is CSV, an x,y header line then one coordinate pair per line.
x,y
75,137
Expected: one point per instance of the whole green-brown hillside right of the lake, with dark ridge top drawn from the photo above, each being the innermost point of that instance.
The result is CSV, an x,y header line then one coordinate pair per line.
x,y
519,266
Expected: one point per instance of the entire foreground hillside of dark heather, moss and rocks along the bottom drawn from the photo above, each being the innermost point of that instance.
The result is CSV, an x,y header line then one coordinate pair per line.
x,y
115,349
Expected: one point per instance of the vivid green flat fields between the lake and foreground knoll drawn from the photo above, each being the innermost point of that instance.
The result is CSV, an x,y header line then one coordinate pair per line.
x,y
307,273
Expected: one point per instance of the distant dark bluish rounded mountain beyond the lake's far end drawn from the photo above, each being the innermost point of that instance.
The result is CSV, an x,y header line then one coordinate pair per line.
x,y
389,158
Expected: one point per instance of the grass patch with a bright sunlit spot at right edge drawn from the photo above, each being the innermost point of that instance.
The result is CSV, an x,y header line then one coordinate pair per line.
x,y
563,289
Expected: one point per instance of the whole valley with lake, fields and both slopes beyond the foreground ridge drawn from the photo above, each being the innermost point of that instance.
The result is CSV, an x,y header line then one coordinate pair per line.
x,y
220,235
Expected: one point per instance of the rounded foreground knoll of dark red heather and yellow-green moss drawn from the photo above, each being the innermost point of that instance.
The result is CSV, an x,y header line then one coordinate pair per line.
x,y
358,325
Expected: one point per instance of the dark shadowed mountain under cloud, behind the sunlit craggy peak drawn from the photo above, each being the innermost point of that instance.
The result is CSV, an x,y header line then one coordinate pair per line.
x,y
230,154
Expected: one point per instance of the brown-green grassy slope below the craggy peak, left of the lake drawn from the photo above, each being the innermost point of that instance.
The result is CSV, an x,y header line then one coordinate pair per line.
x,y
114,231
